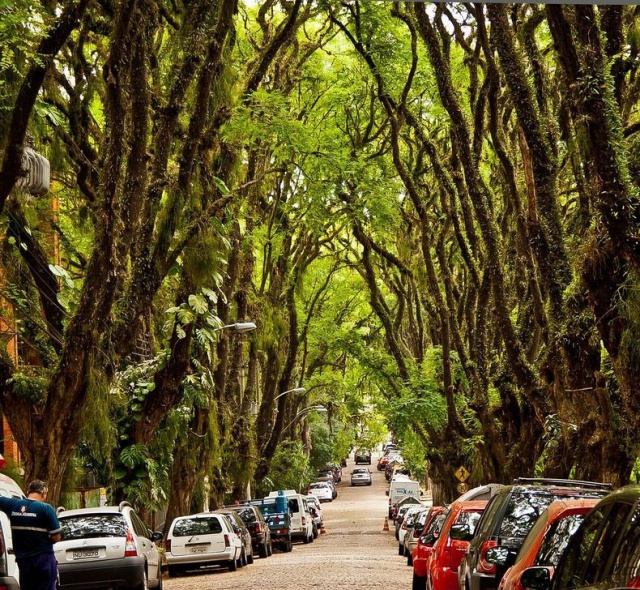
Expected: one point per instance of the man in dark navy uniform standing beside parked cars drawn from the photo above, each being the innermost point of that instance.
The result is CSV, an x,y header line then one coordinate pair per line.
x,y
35,529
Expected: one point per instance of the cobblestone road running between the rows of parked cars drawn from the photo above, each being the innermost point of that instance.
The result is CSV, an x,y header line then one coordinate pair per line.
x,y
354,553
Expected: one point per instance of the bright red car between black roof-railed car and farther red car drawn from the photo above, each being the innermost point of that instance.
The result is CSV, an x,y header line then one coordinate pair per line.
x,y
448,551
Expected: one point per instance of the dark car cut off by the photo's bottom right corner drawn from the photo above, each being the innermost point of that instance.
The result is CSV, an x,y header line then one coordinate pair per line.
x,y
603,553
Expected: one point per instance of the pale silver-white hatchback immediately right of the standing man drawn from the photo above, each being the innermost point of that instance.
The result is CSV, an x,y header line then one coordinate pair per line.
x,y
107,546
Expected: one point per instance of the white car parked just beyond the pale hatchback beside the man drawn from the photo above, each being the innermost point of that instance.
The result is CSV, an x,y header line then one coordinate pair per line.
x,y
204,539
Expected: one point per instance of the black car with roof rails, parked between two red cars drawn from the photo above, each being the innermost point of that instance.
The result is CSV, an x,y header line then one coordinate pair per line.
x,y
507,519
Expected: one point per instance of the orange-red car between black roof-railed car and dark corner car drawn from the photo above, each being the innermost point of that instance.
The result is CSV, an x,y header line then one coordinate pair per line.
x,y
547,540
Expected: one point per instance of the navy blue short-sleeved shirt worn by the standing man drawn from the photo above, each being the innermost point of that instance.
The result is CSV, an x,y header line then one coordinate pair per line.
x,y
31,524
